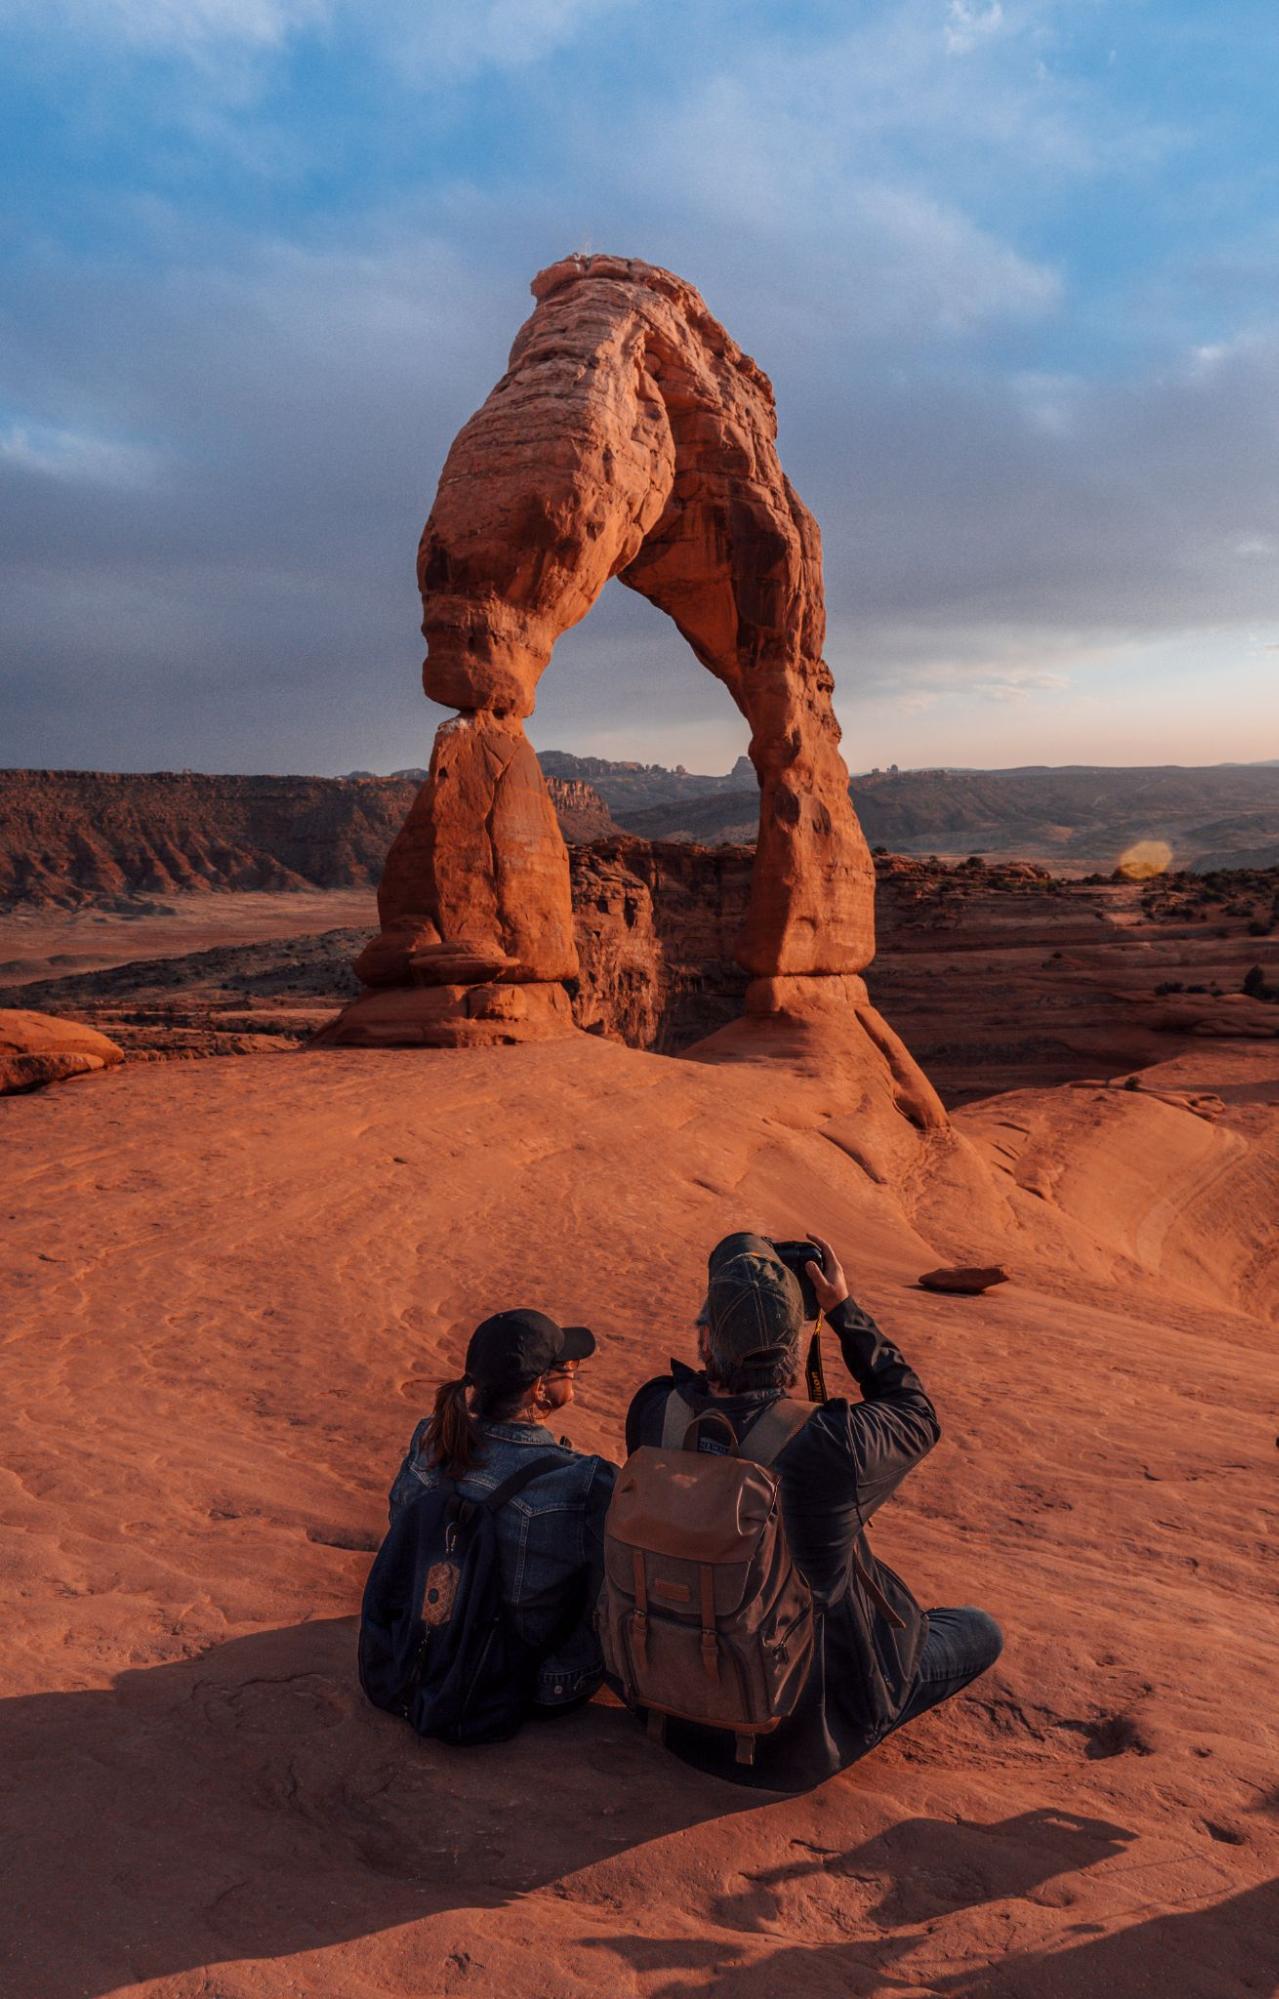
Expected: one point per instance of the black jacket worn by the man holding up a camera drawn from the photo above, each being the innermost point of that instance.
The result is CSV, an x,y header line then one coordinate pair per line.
x,y
836,1472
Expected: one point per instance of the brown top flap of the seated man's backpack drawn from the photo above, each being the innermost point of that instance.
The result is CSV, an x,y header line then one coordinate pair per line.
x,y
690,1504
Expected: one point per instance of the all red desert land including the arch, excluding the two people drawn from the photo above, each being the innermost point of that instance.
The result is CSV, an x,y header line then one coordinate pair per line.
x,y
553,1062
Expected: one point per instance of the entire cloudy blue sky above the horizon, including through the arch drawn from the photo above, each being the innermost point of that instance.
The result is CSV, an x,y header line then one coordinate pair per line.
x,y
1012,265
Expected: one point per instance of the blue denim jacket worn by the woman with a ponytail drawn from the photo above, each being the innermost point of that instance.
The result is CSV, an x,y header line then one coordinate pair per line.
x,y
551,1544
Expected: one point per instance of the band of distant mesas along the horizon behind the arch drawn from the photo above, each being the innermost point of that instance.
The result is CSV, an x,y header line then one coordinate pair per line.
x,y
79,837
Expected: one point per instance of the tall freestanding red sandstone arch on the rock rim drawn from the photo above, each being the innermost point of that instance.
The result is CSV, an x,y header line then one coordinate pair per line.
x,y
633,439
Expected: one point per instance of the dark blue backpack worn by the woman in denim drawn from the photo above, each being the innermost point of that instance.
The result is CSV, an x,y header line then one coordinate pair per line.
x,y
437,1640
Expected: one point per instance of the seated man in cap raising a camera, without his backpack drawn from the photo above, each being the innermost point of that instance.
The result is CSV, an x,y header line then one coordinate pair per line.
x,y
880,1660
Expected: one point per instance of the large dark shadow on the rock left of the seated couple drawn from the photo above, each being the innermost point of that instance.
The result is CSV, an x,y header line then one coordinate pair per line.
x,y
251,1804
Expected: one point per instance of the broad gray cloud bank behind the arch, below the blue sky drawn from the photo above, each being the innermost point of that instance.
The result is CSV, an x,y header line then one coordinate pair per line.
x,y
217,451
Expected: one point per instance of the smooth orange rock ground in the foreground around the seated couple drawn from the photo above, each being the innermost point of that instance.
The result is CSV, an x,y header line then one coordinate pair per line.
x,y
231,1288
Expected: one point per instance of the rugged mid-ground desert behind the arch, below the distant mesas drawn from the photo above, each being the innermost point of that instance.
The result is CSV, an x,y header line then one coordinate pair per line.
x,y
998,973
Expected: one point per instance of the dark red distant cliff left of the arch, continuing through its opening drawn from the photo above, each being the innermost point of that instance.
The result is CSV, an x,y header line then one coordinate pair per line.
x,y
73,837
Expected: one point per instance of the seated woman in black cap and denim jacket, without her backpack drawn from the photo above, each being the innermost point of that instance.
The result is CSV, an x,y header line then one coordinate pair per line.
x,y
489,1424
